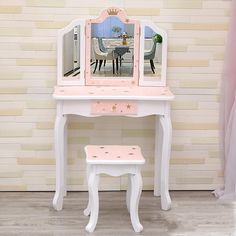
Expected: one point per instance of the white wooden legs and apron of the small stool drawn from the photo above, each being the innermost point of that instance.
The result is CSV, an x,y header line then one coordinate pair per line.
x,y
114,168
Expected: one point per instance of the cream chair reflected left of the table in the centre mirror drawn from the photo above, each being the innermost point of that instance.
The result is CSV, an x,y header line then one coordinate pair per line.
x,y
101,56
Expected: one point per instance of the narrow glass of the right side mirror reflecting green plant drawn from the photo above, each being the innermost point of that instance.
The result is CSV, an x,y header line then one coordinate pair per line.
x,y
152,53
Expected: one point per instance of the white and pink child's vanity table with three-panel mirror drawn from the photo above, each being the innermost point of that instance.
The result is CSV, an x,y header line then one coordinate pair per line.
x,y
138,93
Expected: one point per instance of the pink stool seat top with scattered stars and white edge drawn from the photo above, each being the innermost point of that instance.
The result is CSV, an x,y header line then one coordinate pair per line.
x,y
110,154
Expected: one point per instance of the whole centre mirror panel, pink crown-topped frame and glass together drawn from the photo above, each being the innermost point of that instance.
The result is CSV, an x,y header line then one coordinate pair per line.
x,y
112,49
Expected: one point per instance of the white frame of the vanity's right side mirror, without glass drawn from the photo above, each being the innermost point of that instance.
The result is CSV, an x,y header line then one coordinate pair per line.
x,y
162,81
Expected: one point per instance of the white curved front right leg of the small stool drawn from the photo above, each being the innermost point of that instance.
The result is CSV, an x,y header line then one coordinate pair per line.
x,y
136,189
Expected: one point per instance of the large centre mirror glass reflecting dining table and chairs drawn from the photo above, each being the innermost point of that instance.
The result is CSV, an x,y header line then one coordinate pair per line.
x,y
112,48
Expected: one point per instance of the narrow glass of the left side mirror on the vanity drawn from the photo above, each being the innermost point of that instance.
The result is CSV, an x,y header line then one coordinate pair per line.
x,y
71,53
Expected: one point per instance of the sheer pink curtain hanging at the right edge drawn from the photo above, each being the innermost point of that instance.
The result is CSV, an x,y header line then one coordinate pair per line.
x,y
228,191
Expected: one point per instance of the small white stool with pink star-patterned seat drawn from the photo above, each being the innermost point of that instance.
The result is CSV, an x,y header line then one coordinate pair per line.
x,y
114,161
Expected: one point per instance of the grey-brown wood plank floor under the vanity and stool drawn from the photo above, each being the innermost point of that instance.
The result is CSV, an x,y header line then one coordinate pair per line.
x,y
193,213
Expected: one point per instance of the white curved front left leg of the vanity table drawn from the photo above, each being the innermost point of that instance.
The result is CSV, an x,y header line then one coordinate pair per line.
x,y
59,133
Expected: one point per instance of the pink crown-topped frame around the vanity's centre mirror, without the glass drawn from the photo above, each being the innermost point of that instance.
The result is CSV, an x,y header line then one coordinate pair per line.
x,y
127,81
